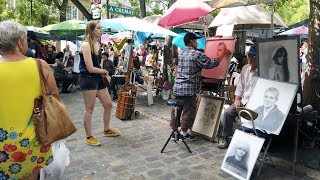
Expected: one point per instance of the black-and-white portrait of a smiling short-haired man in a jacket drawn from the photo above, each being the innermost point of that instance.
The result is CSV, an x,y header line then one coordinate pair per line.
x,y
272,101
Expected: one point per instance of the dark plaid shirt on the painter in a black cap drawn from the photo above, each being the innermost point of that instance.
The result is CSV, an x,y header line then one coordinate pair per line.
x,y
190,63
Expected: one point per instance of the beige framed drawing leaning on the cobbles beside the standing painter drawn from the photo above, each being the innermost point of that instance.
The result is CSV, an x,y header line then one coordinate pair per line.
x,y
207,120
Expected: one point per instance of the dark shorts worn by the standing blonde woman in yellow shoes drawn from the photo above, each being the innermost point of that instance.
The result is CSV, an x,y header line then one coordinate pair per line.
x,y
90,82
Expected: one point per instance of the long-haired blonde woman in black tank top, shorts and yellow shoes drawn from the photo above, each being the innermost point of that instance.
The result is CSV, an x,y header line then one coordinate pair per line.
x,y
91,82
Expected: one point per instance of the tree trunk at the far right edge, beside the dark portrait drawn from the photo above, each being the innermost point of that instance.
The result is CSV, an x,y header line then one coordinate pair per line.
x,y
311,88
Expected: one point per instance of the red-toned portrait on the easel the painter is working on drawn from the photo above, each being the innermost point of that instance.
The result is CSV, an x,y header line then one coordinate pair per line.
x,y
222,48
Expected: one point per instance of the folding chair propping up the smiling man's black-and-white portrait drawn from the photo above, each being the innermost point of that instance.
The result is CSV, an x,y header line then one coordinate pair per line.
x,y
251,116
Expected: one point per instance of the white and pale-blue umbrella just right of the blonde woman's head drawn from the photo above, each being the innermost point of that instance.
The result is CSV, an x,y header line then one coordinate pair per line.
x,y
135,24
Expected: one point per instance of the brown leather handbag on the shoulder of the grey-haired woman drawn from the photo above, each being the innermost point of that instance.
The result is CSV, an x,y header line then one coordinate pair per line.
x,y
51,119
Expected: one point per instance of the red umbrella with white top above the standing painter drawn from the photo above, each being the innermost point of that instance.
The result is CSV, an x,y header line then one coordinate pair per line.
x,y
184,11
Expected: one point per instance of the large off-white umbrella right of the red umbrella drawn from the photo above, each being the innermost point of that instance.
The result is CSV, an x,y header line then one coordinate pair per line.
x,y
246,17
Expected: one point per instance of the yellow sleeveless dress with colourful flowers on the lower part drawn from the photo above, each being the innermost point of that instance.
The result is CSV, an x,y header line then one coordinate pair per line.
x,y
20,151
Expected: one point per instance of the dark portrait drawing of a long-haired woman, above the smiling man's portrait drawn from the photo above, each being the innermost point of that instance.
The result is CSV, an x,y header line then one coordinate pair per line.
x,y
278,59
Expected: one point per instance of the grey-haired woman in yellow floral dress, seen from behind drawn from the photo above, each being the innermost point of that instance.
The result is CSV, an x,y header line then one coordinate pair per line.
x,y
21,155
